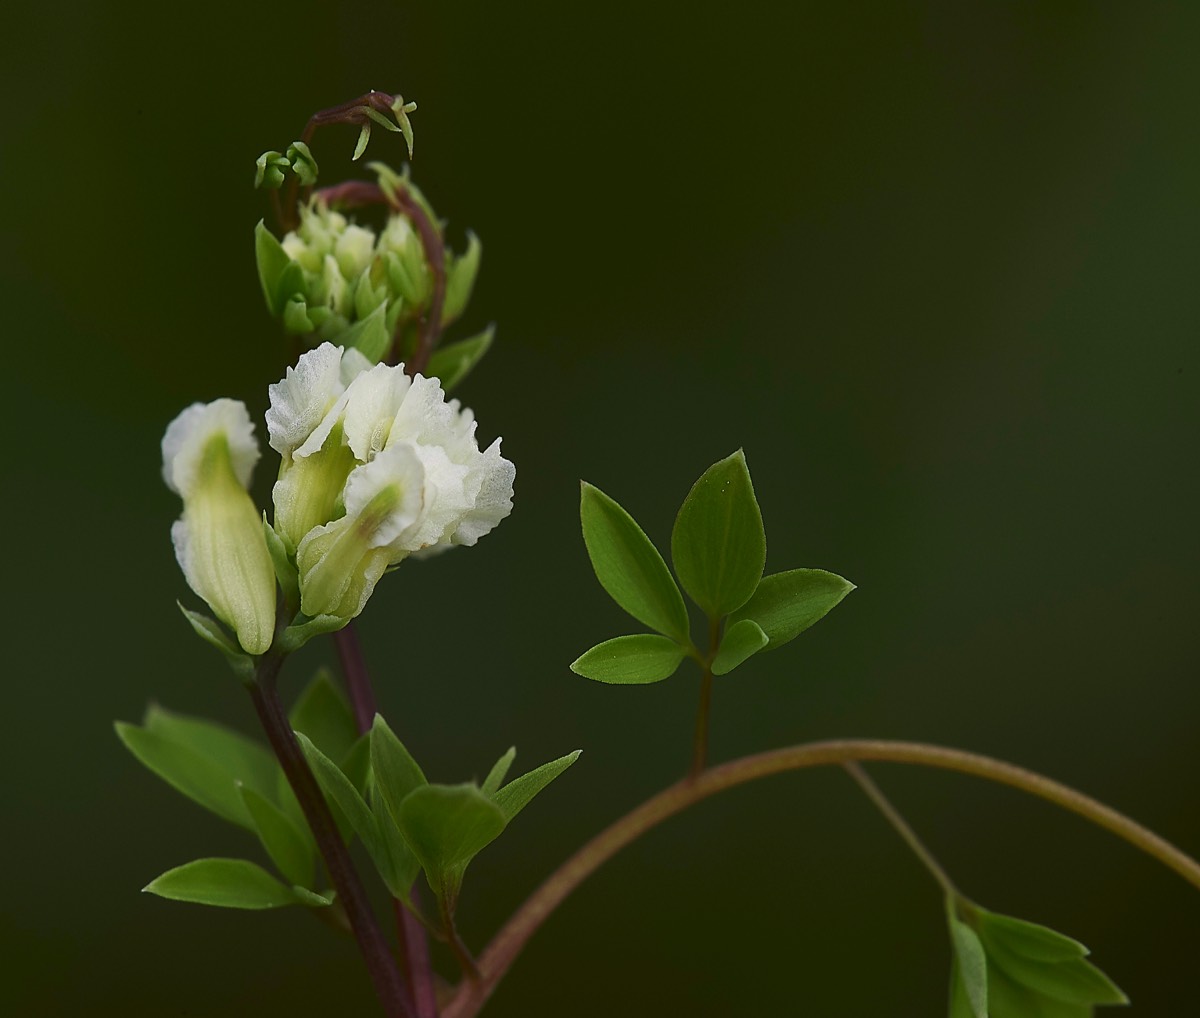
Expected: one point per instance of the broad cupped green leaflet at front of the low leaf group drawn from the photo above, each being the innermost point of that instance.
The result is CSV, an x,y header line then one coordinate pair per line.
x,y
447,827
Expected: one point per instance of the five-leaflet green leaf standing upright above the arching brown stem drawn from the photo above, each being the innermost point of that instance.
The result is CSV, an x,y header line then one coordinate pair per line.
x,y
719,550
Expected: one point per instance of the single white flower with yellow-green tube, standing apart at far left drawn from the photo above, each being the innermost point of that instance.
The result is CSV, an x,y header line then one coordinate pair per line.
x,y
208,456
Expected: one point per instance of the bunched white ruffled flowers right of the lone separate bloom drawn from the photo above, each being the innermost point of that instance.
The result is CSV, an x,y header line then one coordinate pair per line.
x,y
406,464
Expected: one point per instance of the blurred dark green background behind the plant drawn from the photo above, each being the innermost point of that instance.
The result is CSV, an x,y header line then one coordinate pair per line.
x,y
933,266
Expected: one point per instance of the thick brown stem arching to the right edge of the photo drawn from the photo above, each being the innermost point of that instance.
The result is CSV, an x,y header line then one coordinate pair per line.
x,y
507,945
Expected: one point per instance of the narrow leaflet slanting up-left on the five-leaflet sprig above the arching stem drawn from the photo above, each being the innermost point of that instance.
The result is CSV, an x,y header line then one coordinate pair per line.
x,y
629,567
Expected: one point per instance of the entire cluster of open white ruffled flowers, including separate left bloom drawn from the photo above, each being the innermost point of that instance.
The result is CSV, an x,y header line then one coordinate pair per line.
x,y
376,466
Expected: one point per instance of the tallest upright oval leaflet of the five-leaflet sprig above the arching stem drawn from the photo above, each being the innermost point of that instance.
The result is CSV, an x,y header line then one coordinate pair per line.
x,y
718,543
